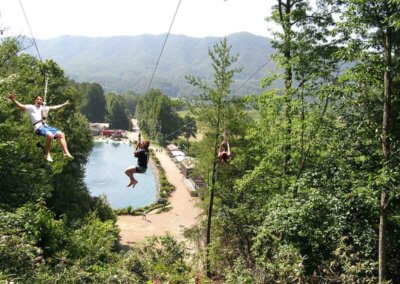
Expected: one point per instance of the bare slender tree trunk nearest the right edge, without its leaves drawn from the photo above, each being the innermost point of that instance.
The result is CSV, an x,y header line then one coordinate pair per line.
x,y
386,153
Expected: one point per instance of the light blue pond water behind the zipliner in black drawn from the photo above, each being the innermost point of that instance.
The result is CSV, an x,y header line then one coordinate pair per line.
x,y
105,174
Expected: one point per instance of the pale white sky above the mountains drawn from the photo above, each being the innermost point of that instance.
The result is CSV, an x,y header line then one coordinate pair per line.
x,y
103,18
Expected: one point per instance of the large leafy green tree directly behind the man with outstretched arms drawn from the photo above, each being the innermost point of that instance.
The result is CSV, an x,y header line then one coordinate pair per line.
x,y
24,175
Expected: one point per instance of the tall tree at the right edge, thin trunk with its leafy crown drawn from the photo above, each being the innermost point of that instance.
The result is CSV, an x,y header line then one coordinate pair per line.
x,y
371,36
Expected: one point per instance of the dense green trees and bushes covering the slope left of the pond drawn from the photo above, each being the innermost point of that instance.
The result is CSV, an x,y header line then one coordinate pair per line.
x,y
51,229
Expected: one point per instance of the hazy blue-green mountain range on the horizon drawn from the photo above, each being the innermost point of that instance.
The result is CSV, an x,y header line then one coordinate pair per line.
x,y
126,63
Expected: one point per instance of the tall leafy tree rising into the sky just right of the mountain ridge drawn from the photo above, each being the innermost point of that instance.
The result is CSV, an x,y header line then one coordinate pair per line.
x,y
304,56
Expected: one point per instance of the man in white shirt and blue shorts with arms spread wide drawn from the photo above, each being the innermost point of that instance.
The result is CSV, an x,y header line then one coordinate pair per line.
x,y
36,112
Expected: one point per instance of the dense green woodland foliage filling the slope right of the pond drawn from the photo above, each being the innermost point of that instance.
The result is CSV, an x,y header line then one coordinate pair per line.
x,y
299,201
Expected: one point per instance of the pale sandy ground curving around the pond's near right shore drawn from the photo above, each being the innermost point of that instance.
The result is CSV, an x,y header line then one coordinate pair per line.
x,y
184,212
